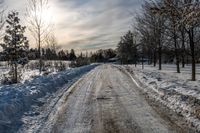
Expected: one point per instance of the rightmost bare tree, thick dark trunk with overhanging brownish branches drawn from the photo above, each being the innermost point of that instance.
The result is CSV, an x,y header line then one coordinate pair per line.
x,y
188,12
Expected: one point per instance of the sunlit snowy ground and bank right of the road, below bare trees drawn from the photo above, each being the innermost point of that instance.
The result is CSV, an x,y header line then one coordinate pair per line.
x,y
173,90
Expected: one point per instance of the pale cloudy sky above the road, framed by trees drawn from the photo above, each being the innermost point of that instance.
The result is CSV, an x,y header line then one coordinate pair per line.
x,y
87,24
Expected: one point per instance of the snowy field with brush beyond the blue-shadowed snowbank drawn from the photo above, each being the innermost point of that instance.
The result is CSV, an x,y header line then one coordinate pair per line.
x,y
31,70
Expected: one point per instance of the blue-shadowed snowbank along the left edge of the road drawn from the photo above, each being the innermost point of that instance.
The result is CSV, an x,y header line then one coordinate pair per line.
x,y
16,99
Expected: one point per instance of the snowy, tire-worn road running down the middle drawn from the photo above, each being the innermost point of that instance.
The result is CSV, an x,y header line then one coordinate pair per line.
x,y
105,100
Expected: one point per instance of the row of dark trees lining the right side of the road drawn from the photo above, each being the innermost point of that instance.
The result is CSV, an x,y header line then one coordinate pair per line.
x,y
168,31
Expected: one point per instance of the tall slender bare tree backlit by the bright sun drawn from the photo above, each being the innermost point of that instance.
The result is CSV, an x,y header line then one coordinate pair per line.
x,y
38,25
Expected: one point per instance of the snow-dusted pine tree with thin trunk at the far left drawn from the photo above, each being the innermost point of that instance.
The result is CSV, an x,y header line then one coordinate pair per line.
x,y
15,47
